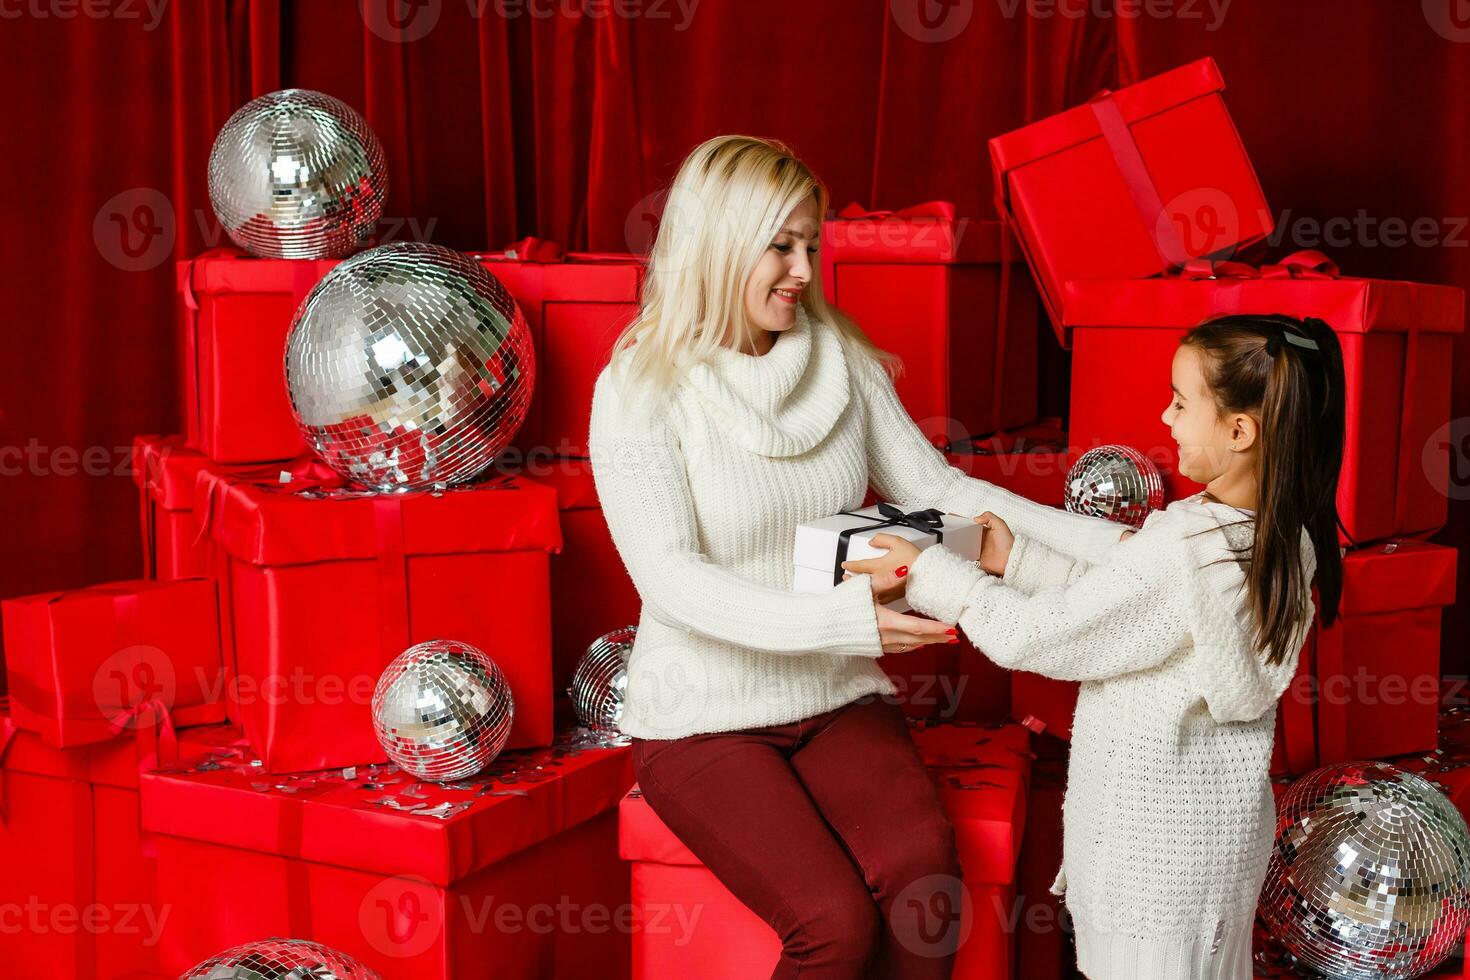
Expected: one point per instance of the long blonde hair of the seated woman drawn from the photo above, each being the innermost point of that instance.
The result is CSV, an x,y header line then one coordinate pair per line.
x,y
724,209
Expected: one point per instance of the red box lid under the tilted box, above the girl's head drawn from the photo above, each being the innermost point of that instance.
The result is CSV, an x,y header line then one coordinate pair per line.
x,y
1352,306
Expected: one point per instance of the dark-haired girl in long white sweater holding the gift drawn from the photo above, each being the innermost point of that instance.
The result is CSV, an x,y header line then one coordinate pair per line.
x,y
1184,637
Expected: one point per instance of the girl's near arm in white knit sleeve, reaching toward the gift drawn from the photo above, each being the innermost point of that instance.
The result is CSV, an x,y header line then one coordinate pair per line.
x,y
1105,621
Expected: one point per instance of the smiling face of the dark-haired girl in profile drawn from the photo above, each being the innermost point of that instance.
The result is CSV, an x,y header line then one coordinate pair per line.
x,y
1211,443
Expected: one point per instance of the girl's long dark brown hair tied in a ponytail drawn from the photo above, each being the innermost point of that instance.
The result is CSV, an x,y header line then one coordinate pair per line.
x,y
1290,375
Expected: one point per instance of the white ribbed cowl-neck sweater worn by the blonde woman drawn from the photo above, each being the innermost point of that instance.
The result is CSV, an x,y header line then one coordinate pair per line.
x,y
703,500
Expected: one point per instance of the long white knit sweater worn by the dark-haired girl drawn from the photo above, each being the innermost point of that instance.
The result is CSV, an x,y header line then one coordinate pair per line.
x,y
1169,816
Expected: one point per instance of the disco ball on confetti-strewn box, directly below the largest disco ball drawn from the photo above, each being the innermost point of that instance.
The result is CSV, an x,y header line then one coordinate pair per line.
x,y
443,710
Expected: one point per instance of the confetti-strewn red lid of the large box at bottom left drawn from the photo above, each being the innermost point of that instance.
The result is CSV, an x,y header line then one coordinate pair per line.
x,y
524,799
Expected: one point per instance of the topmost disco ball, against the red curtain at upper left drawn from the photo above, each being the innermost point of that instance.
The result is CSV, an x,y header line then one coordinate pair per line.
x,y
298,176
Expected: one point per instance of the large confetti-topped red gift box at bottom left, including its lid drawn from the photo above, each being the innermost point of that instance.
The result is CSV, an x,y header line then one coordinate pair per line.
x,y
499,875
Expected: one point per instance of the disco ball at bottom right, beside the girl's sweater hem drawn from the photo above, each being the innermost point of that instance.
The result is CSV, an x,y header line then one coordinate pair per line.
x,y
1371,873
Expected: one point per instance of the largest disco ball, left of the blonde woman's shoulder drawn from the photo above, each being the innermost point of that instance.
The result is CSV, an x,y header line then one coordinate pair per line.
x,y
409,367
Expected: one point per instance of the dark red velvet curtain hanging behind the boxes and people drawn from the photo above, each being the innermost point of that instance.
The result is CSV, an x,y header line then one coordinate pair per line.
x,y
564,118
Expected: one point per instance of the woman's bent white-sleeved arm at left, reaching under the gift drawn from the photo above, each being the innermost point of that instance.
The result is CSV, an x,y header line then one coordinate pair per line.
x,y
639,471
